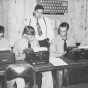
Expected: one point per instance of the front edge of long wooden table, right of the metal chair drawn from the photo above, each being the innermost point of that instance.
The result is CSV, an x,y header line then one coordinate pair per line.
x,y
50,67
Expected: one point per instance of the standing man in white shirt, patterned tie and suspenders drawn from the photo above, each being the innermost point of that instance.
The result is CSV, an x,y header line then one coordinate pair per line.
x,y
41,25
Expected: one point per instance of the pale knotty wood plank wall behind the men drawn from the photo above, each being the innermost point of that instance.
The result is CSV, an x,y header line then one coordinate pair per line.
x,y
15,14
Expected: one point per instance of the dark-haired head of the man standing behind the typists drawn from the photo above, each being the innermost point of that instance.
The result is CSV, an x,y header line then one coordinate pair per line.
x,y
38,11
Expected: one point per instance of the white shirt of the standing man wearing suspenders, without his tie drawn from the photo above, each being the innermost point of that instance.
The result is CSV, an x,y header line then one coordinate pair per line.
x,y
46,28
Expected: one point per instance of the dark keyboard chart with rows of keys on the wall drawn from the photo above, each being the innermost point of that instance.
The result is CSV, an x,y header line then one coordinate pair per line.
x,y
54,6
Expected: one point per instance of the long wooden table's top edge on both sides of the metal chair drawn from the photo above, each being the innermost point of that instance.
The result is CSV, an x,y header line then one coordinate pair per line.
x,y
50,67
